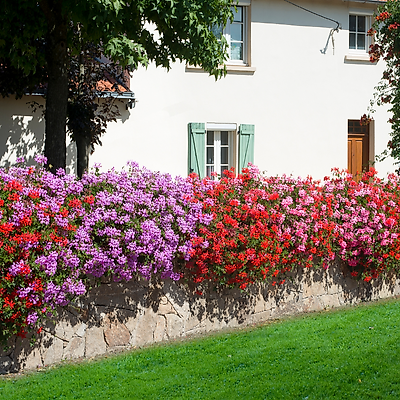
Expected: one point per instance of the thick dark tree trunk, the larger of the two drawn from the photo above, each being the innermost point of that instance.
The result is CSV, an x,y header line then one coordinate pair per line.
x,y
57,89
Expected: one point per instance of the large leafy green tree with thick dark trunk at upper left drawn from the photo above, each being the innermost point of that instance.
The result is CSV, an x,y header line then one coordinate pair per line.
x,y
37,39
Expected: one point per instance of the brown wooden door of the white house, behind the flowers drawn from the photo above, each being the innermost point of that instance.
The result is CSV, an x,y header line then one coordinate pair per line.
x,y
358,148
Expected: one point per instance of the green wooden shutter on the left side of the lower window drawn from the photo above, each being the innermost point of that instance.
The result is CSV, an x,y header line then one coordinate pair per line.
x,y
197,148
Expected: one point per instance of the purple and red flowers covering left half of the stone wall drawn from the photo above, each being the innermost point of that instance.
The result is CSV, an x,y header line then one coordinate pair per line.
x,y
57,233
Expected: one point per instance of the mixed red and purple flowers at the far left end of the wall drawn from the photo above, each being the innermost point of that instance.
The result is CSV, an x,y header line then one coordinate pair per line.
x,y
38,270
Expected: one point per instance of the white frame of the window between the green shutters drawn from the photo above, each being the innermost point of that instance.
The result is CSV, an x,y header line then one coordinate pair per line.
x,y
217,128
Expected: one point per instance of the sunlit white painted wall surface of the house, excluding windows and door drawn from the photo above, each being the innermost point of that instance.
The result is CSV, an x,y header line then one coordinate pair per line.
x,y
298,98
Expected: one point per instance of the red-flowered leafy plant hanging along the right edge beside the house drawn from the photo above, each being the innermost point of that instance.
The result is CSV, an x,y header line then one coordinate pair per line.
x,y
386,29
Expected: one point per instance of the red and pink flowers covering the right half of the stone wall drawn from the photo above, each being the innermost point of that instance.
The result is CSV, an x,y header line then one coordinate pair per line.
x,y
263,227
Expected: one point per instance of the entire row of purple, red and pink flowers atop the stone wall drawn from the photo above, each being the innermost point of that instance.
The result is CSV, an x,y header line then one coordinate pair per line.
x,y
59,234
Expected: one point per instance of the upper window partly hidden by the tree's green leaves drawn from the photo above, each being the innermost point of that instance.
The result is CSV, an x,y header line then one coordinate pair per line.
x,y
236,35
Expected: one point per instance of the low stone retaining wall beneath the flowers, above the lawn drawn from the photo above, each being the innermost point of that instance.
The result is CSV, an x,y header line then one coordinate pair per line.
x,y
124,315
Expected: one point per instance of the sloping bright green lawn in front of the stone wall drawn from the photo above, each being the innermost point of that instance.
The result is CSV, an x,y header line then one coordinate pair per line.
x,y
352,353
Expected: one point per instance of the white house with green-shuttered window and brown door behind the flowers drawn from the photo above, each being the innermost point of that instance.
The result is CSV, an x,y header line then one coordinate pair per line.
x,y
299,79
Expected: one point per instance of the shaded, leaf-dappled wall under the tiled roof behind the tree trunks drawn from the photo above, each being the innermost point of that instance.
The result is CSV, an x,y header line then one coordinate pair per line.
x,y
22,133
